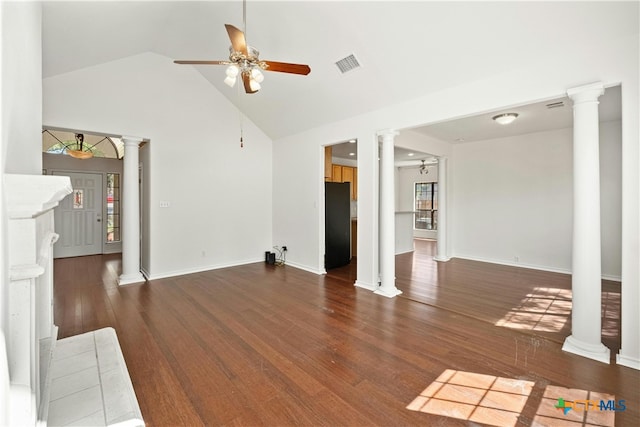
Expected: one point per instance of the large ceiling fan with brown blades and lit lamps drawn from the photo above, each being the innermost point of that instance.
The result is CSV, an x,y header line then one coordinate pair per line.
x,y
244,61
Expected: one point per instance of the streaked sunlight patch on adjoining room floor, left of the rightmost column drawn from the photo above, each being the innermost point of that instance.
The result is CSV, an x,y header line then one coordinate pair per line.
x,y
544,310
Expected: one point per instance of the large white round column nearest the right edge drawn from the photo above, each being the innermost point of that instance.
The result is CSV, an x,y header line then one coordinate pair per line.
x,y
586,282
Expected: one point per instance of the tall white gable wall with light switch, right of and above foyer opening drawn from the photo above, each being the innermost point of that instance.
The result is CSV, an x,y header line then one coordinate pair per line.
x,y
219,193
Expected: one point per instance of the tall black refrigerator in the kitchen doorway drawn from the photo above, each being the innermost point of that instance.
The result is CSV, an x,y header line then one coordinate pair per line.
x,y
337,229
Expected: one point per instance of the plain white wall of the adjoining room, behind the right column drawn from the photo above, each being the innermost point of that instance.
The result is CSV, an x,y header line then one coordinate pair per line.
x,y
513,200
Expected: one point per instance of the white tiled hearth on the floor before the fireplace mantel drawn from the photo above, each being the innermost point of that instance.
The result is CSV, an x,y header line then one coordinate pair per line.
x,y
90,384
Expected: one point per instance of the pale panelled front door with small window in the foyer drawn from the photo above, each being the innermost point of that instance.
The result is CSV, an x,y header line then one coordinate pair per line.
x,y
78,217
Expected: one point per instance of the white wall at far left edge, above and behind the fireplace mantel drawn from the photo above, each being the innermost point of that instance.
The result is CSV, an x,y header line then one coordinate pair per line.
x,y
20,126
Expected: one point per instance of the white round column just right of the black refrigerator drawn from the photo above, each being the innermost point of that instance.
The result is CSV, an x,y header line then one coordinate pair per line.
x,y
387,209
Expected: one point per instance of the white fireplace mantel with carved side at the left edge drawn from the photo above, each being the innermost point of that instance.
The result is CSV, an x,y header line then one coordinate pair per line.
x,y
31,333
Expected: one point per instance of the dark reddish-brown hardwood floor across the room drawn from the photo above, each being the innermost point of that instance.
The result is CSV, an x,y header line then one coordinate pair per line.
x,y
465,344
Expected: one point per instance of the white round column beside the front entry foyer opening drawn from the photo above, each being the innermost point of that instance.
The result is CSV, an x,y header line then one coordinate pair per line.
x,y
131,213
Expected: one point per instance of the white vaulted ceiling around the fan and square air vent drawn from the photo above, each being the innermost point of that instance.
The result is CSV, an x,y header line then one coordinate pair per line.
x,y
407,49
